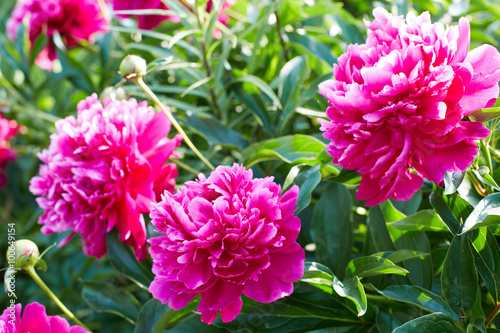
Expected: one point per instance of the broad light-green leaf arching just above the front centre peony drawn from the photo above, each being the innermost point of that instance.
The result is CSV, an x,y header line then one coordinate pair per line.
x,y
296,148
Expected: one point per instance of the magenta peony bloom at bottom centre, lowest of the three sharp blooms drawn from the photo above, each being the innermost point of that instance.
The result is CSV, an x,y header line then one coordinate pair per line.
x,y
225,235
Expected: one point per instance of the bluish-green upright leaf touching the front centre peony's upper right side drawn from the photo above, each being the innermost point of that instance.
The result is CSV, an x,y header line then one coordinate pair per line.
x,y
307,179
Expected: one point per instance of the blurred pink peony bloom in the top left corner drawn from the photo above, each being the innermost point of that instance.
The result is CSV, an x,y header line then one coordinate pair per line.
x,y
74,20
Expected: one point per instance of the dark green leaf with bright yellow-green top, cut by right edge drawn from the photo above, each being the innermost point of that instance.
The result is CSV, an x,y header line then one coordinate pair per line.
x,y
487,259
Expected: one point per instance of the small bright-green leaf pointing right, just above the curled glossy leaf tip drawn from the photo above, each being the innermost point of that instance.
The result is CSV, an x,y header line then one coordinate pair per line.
x,y
372,266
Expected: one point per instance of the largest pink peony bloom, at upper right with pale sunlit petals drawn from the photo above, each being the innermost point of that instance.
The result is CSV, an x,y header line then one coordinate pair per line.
x,y
398,102
